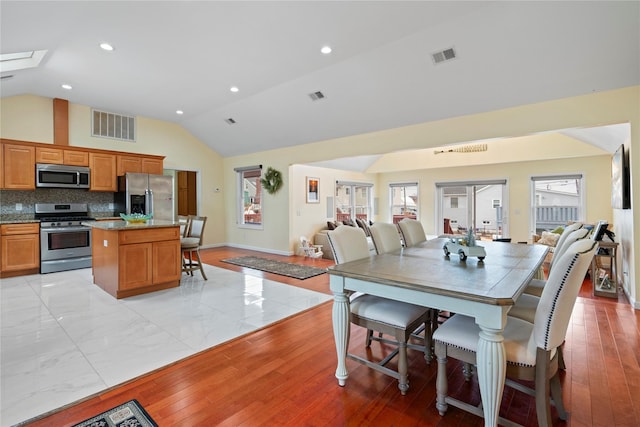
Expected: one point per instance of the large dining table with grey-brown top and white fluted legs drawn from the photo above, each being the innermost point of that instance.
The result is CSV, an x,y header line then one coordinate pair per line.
x,y
425,275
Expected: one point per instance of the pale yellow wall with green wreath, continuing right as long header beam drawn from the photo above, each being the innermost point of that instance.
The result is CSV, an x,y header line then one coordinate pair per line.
x,y
597,109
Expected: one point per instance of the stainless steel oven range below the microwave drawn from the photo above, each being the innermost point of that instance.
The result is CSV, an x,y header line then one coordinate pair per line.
x,y
65,244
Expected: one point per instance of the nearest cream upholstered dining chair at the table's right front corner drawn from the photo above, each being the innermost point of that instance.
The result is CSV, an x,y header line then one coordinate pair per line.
x,y
530,348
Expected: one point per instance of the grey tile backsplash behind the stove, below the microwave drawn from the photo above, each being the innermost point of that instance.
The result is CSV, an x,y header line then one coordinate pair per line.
x,y
99,202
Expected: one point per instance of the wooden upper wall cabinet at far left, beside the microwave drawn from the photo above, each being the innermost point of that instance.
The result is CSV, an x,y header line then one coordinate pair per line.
x,y
19,167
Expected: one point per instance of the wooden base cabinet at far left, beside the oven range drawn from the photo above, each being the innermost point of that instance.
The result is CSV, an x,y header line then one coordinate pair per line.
x,y
20,251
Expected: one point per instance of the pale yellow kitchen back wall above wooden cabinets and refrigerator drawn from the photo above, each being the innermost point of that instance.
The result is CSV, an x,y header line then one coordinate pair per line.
x,y
30,118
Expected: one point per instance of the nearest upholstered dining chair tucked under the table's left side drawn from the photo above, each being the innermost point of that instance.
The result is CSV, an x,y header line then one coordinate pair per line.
x,y
387,316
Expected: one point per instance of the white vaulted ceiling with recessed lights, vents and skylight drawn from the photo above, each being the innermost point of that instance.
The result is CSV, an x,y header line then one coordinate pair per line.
x,y
381,74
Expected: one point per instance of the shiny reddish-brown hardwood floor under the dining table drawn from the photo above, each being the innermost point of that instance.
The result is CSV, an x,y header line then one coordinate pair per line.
x,y
284,375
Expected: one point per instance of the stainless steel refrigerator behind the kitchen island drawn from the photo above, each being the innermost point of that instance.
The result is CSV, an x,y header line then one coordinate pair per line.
x,y
147,194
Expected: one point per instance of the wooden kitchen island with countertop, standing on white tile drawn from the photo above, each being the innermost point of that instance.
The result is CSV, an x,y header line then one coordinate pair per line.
x,y
135,258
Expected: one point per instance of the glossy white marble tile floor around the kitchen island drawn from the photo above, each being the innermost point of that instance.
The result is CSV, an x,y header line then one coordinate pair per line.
x,y
63,338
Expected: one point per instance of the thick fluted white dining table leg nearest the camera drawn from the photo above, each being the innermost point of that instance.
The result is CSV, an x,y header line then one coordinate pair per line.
x,y
492,366
